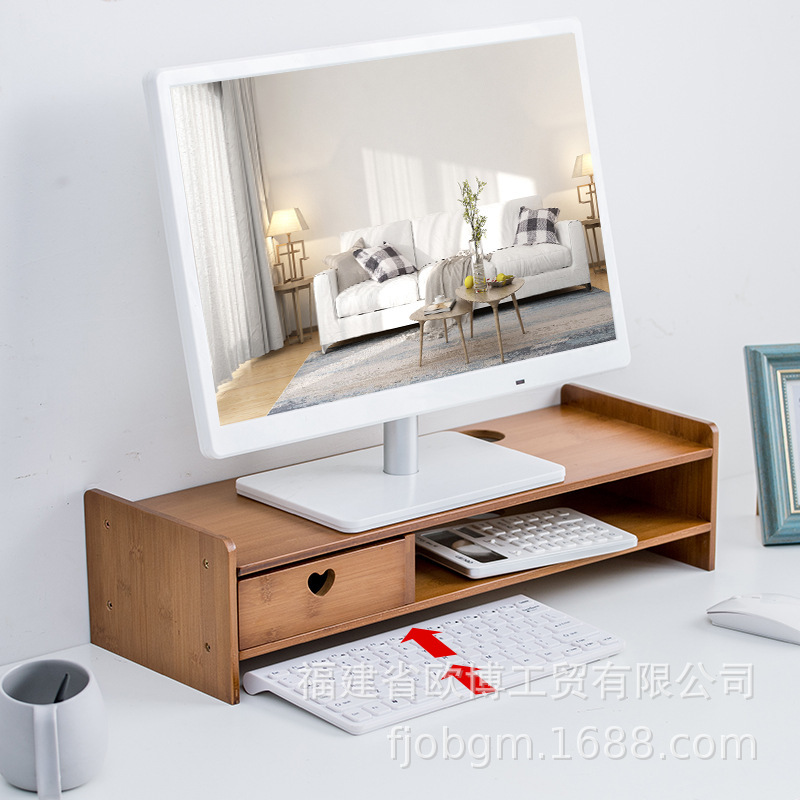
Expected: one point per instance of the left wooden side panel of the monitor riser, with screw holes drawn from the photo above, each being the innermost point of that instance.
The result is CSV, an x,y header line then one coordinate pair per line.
x,y
162,594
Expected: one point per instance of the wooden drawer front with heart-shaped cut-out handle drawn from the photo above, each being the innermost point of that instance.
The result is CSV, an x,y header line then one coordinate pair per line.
x,y
307,597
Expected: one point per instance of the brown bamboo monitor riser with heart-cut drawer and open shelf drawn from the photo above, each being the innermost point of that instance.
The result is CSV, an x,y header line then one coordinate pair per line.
x,y
191,583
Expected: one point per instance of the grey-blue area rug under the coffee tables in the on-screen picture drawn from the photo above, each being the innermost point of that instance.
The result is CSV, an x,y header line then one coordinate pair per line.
x,y
552,324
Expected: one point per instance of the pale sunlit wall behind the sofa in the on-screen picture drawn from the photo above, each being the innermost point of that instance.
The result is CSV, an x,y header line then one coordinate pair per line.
x,y
365,144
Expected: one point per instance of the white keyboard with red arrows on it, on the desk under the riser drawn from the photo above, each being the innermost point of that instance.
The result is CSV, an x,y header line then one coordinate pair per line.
x,y
382,680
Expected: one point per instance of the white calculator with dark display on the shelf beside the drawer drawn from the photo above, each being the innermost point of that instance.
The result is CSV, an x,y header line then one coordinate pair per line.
x,y
480,548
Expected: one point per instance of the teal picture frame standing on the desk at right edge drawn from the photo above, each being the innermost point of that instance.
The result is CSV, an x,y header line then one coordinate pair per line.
x,y
773,380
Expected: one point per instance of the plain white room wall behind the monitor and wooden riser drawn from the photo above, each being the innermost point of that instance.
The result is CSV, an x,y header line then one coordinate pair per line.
x,y
694,124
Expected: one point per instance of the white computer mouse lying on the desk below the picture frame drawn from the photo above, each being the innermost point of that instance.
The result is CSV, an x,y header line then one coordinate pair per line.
x,y
776,616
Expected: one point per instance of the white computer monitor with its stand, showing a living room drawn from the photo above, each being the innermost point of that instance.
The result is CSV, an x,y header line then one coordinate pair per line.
x,y
360,137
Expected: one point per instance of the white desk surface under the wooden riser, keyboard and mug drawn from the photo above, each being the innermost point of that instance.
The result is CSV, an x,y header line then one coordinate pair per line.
x,y
169,741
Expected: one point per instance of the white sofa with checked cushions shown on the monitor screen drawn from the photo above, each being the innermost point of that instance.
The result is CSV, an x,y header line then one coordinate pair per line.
x,y
370,307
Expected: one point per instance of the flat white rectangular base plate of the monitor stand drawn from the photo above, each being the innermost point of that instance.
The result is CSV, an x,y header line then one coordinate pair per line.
x,y
351,492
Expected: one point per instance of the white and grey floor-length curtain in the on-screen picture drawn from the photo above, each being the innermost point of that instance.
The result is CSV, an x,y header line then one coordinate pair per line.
x,y
227,204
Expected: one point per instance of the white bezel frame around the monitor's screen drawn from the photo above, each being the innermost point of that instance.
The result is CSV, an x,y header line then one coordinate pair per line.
x,y
220,441
